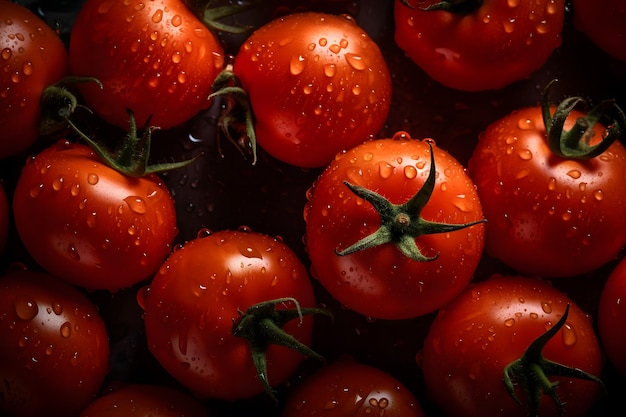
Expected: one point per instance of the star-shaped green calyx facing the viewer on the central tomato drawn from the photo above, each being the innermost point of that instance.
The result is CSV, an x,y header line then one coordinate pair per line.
x,y
401,224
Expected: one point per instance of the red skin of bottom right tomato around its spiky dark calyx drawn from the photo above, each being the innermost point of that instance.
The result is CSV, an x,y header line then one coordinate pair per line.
x,y
489,326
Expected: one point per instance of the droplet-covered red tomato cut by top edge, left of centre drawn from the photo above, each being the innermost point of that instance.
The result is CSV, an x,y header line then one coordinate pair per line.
x,y
153,57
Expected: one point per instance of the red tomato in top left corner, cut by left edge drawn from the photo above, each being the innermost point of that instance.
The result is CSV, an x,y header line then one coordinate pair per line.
x,y
33,57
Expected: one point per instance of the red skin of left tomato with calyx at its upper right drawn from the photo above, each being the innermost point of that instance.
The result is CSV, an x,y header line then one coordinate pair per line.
x,y
89,224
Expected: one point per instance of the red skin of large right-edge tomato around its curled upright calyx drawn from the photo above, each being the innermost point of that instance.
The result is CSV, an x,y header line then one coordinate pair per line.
x,y
548,215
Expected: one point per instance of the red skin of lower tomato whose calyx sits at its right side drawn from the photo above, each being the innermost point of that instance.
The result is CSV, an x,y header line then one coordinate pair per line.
x,y
195,303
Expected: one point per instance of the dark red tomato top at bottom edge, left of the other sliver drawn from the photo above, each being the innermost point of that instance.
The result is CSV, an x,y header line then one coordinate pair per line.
x,y
142,400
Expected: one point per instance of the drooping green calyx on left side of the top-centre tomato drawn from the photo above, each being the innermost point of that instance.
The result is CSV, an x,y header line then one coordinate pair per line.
x,y
237,112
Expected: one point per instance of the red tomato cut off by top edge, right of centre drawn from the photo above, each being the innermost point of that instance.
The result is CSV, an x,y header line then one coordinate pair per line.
x,y
479,45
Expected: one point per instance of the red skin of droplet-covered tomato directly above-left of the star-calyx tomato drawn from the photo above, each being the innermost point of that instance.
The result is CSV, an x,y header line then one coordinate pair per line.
x,y
317,93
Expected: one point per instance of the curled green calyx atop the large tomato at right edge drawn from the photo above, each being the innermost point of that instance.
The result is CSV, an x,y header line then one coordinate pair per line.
x,y
576,142
